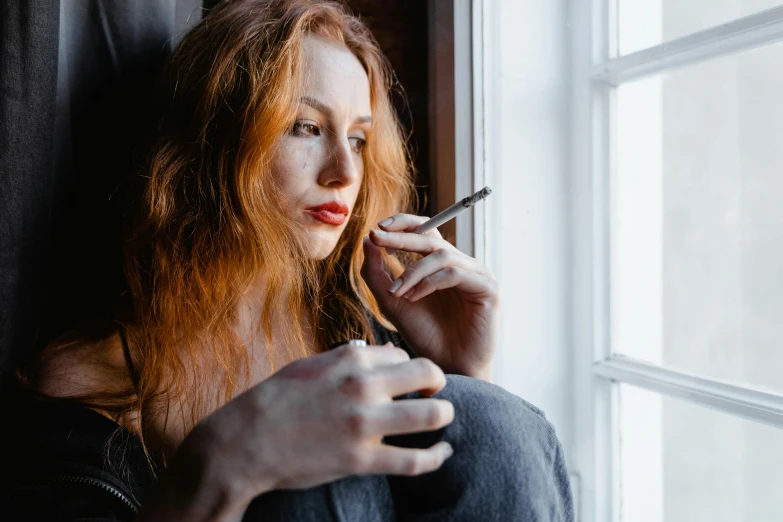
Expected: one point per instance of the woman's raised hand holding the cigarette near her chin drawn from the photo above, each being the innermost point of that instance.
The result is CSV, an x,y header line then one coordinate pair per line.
x,y
445,306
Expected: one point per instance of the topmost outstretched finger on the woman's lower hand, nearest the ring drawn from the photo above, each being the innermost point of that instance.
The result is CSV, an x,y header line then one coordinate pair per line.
x,y
419,374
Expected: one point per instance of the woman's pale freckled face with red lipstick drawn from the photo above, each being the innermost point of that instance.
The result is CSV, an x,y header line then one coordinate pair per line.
x,y
318,163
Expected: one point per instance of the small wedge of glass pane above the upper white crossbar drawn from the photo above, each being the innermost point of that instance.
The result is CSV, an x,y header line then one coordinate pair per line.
x,y
646,23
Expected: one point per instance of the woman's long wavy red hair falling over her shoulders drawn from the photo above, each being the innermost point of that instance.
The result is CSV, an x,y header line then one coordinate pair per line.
x,y
209,220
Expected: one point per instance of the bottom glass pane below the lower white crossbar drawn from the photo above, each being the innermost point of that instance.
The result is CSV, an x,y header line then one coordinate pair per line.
x,y
680,462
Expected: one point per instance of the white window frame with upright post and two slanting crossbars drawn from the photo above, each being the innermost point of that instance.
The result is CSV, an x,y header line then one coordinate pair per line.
x,y
596,70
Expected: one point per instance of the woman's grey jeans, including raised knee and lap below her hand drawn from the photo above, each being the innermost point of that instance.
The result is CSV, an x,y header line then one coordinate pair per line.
x,y
507,466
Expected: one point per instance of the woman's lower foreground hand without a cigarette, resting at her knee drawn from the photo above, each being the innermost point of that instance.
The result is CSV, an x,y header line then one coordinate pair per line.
x,y
322,418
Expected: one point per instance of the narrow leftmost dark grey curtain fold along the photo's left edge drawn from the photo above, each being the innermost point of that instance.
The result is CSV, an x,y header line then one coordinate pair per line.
x,y
28,76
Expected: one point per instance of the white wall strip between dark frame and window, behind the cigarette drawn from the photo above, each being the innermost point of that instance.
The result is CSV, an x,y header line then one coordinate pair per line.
x,y
526,159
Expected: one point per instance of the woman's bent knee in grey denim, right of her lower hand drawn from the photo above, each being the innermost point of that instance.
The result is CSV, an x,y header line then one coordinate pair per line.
x,y
504,449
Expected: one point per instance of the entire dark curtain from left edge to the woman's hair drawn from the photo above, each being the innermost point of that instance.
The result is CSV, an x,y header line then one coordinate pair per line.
x,y
76,79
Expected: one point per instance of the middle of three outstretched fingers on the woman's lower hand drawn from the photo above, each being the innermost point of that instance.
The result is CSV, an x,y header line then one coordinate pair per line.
x,y
410,416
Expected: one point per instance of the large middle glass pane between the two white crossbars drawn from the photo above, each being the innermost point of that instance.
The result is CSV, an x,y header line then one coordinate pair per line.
x,y
697,219
